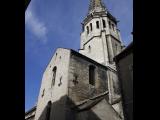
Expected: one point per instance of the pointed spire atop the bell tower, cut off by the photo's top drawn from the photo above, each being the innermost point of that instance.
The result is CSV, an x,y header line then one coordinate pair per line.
x,y
96,6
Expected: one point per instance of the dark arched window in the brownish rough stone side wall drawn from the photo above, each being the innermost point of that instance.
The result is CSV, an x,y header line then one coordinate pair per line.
x,y
92,75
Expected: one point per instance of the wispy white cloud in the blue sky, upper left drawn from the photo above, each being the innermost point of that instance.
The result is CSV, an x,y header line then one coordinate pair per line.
x,y
36,26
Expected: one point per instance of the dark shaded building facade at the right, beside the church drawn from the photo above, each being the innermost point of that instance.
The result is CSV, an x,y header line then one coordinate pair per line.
x,y
124,63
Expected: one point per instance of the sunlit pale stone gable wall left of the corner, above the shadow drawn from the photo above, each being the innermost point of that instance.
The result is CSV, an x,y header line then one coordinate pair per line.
x,y
47,91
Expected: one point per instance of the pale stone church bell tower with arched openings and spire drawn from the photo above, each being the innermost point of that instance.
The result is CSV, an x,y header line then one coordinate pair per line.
x,y
100,37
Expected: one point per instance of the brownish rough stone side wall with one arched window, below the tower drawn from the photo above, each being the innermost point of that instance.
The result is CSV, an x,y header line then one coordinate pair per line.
x,y
79,72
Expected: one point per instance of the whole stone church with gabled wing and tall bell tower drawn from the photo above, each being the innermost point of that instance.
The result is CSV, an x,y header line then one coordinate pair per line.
x,y
83,84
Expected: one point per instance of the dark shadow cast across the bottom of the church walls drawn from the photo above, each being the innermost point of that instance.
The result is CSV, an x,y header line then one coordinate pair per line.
x,y
65,109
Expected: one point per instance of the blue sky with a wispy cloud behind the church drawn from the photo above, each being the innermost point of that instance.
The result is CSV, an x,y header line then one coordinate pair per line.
x,y
57,23
